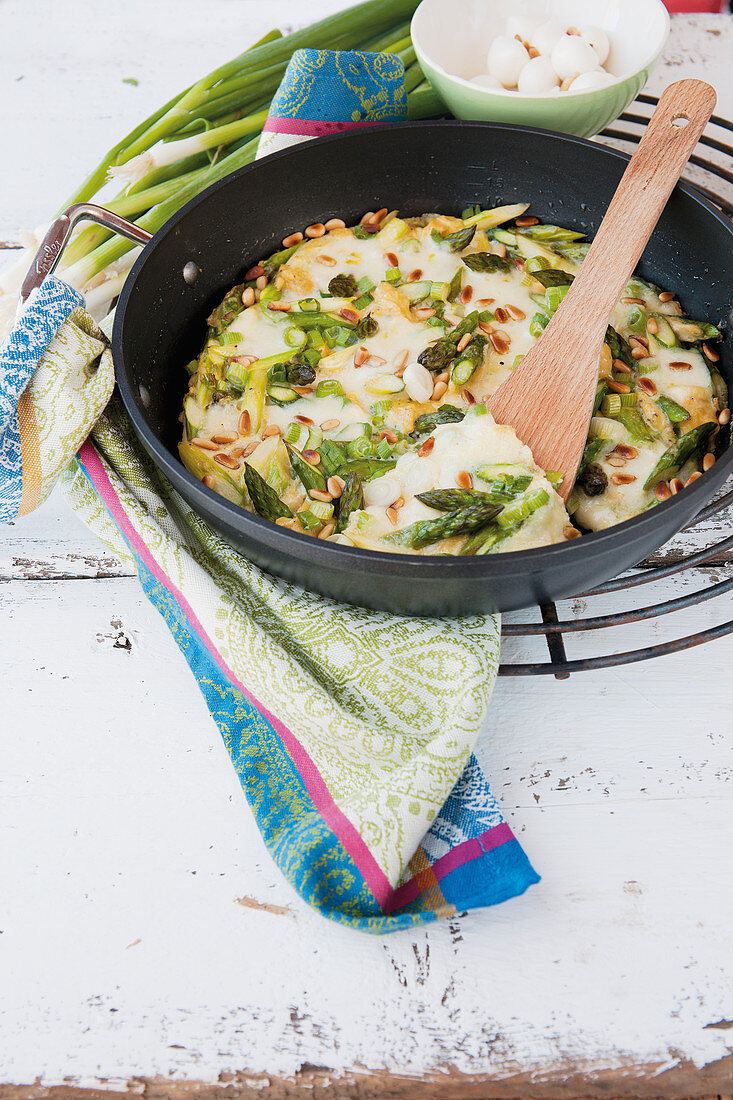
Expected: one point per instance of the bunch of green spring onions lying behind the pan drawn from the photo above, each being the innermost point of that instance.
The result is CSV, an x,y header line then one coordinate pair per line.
x,y
210,130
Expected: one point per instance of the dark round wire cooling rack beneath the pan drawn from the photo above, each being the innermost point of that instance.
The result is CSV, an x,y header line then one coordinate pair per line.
x,y
712,173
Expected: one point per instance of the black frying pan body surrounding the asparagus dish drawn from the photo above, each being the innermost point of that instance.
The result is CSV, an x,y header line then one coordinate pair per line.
x,y
415,168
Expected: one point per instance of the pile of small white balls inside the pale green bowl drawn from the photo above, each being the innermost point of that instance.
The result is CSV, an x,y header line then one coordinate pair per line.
x,y
535,58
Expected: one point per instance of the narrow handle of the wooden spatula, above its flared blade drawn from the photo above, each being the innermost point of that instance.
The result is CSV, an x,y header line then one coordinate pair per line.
x,y
648,183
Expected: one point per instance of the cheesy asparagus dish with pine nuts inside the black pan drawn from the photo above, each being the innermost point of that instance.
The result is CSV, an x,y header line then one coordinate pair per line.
x,y
342,392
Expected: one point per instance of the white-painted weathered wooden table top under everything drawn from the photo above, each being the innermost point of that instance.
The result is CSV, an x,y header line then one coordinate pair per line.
x,y
147,941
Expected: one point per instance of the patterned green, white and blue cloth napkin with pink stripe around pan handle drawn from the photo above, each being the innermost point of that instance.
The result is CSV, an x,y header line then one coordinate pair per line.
x,y
352,731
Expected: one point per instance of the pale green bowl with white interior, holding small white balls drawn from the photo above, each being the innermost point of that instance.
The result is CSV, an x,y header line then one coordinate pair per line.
x,y
452,39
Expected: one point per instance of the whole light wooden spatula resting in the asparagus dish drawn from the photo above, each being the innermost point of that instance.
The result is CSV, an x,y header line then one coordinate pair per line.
x,y
549,399
